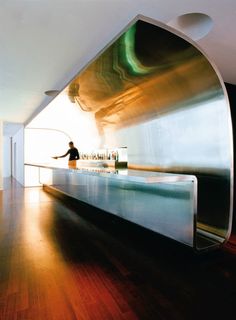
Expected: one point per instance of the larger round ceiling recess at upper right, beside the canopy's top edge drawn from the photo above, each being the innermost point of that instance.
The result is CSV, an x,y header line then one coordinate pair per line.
x,y
194,25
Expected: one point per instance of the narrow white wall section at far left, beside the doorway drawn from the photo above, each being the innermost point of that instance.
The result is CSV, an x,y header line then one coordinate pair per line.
x,y
18,156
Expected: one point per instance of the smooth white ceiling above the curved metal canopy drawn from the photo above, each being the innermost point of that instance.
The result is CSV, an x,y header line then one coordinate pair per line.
x,y
45,43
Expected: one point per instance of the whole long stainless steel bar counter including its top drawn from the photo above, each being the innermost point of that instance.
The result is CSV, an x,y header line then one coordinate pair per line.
x,y
162,202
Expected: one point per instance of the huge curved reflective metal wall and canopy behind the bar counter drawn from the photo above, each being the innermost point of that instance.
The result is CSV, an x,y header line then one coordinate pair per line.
x,y
157,94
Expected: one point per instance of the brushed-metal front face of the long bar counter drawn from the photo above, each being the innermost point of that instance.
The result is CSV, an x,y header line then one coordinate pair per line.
x,y
135,201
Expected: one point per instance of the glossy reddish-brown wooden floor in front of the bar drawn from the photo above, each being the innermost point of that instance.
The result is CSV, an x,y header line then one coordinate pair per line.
x,y
56,263
